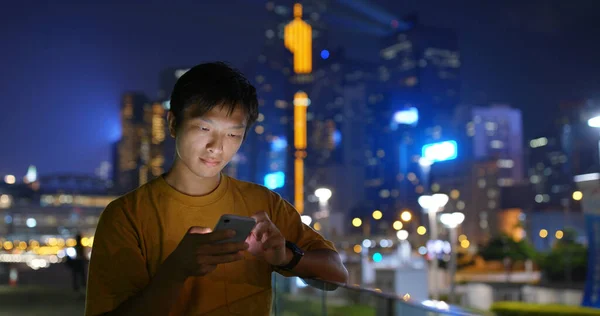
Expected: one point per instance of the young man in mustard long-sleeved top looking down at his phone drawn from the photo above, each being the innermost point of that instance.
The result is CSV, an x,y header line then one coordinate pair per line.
x,y
154,252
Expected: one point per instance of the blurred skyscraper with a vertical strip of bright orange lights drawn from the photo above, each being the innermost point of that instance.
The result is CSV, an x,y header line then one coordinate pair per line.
x,y
334,98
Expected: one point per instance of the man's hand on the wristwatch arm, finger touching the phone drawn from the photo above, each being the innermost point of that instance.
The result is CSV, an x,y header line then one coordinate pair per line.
x,y
266,241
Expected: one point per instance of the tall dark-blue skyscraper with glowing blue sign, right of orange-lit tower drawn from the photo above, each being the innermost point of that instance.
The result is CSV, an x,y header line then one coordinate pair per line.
x,y
418,80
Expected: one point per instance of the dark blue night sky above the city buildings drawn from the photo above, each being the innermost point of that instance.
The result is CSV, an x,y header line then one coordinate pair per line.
x,y
64,66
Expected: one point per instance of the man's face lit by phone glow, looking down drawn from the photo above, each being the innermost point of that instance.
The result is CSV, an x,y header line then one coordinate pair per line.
x,y
206,144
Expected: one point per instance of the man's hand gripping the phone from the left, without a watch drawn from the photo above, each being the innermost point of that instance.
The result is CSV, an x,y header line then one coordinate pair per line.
x,y
198,253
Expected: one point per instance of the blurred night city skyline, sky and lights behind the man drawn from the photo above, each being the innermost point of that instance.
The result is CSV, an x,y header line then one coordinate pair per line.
x,y
450,149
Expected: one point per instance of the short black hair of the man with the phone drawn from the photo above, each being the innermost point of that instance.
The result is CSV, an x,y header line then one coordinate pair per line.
x,y
213,84
